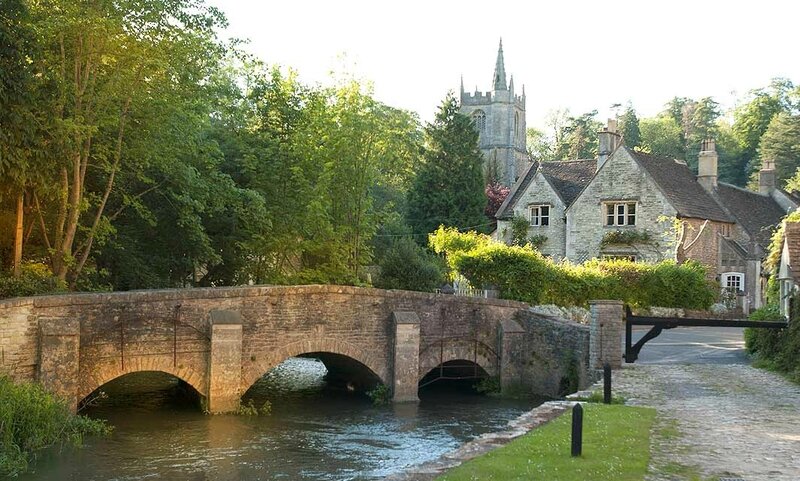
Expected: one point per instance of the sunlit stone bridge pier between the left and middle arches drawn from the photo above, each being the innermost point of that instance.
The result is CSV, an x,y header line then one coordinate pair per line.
x,y
225,362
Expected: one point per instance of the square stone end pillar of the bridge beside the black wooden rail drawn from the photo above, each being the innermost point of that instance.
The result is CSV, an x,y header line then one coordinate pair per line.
x,y
606,330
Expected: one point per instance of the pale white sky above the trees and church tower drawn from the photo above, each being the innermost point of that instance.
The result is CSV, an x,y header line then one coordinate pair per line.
x,y
574,54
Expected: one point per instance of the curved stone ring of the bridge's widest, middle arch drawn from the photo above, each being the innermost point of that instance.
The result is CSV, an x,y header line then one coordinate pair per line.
x,y
369,359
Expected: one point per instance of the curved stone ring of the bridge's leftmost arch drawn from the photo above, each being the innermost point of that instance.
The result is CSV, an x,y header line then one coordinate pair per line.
x,y
100,376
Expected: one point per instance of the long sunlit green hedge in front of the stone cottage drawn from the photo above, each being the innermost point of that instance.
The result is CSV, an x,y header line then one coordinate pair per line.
x,y
522,273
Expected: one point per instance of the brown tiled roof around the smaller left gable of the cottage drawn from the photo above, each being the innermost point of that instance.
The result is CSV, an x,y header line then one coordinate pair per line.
x,y
567,178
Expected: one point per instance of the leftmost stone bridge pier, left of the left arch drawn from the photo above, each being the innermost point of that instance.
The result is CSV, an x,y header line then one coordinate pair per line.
x,y
59,356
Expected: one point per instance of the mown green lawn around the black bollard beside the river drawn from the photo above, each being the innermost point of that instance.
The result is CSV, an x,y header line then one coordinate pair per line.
x,y
616,446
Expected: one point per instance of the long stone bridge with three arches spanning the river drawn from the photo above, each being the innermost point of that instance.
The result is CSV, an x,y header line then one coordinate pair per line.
x,y
222,340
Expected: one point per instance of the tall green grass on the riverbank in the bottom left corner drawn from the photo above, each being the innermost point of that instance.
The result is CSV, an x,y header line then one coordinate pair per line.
x,y
32,419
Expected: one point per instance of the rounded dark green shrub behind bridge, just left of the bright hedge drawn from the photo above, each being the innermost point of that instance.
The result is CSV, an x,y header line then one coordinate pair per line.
x,y
409,266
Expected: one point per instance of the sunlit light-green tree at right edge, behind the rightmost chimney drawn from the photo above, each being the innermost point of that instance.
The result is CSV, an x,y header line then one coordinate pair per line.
x,y
781,143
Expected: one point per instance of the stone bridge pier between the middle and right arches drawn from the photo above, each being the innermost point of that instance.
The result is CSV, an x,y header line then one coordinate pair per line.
x,y
406,356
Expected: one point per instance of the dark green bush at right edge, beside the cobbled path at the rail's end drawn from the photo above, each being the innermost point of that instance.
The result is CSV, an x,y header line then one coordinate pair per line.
x,y
778,349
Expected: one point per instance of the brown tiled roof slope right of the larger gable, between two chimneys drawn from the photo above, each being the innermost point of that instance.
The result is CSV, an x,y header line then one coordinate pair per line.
x,y
681,188
